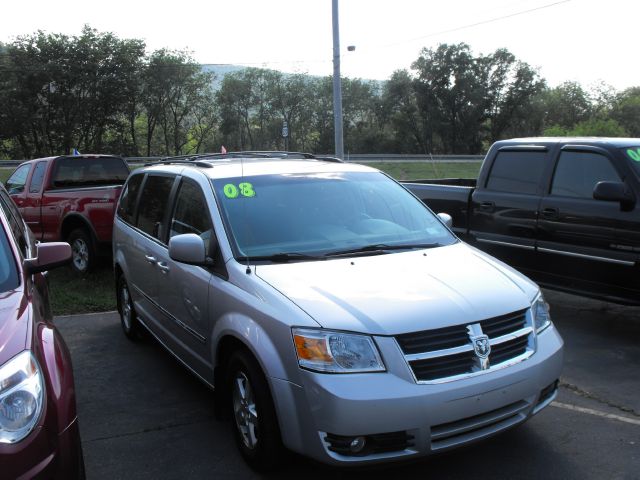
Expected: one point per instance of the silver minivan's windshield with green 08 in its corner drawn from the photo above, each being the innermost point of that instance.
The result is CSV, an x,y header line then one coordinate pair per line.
x,y
307,216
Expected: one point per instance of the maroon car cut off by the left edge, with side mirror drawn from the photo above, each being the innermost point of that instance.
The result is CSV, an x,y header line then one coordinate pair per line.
x,y
39,436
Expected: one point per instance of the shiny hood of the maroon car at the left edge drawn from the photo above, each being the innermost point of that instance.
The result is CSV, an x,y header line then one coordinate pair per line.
x,y
14,324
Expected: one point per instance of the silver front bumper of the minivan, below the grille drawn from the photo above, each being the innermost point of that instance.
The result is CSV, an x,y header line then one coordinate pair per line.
x,y
320,417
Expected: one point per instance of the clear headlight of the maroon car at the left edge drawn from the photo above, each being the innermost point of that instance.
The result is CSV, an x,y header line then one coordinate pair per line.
x,y
21,397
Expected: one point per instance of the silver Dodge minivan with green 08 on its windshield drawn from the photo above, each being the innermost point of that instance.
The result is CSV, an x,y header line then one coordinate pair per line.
x,y
333,313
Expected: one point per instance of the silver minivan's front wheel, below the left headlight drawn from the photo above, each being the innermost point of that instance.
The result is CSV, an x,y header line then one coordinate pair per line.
x,y
255,422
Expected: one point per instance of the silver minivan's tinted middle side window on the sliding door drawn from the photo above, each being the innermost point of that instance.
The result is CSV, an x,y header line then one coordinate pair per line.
x,y
153,204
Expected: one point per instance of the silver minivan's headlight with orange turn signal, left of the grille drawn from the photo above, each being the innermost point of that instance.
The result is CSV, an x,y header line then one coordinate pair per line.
x,y
336,352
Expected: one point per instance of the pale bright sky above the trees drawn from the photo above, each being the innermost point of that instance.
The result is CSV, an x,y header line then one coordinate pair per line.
x,y
588,41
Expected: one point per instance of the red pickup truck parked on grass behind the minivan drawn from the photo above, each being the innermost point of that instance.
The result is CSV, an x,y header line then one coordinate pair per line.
x,y
70,198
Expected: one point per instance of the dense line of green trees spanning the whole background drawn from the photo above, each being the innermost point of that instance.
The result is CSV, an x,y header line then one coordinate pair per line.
x,y
98,93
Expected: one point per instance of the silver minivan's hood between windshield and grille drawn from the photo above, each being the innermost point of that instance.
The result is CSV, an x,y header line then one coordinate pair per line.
x,y
402,292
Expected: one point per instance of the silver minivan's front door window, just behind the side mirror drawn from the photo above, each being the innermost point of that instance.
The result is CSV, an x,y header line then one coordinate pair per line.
x,y
191,214
